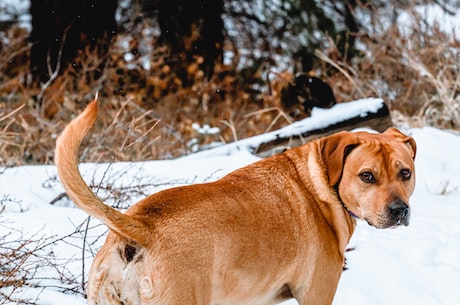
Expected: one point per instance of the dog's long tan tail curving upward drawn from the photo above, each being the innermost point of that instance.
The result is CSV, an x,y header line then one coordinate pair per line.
x,y
66,159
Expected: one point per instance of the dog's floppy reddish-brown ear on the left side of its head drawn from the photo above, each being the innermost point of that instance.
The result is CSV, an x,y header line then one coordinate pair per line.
x,y
334,150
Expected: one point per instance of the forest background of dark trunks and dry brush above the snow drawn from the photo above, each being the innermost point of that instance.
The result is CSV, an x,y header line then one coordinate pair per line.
x,y
175,76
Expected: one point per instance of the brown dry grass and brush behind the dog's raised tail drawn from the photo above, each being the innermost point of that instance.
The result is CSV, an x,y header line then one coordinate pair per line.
x,y
143,114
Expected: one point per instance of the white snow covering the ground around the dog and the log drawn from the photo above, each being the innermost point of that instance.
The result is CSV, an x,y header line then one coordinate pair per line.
x,y
418,264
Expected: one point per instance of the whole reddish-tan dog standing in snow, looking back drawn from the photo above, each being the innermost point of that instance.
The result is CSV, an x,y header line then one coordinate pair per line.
x,y
273,230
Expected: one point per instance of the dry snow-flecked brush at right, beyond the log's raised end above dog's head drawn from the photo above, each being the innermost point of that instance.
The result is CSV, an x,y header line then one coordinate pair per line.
x,y
417,72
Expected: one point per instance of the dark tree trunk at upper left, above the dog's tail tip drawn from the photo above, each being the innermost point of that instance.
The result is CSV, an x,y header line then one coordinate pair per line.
x,y
60,28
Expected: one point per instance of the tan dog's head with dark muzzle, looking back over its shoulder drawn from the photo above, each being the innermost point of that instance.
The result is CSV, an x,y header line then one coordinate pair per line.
x,y
373,174
